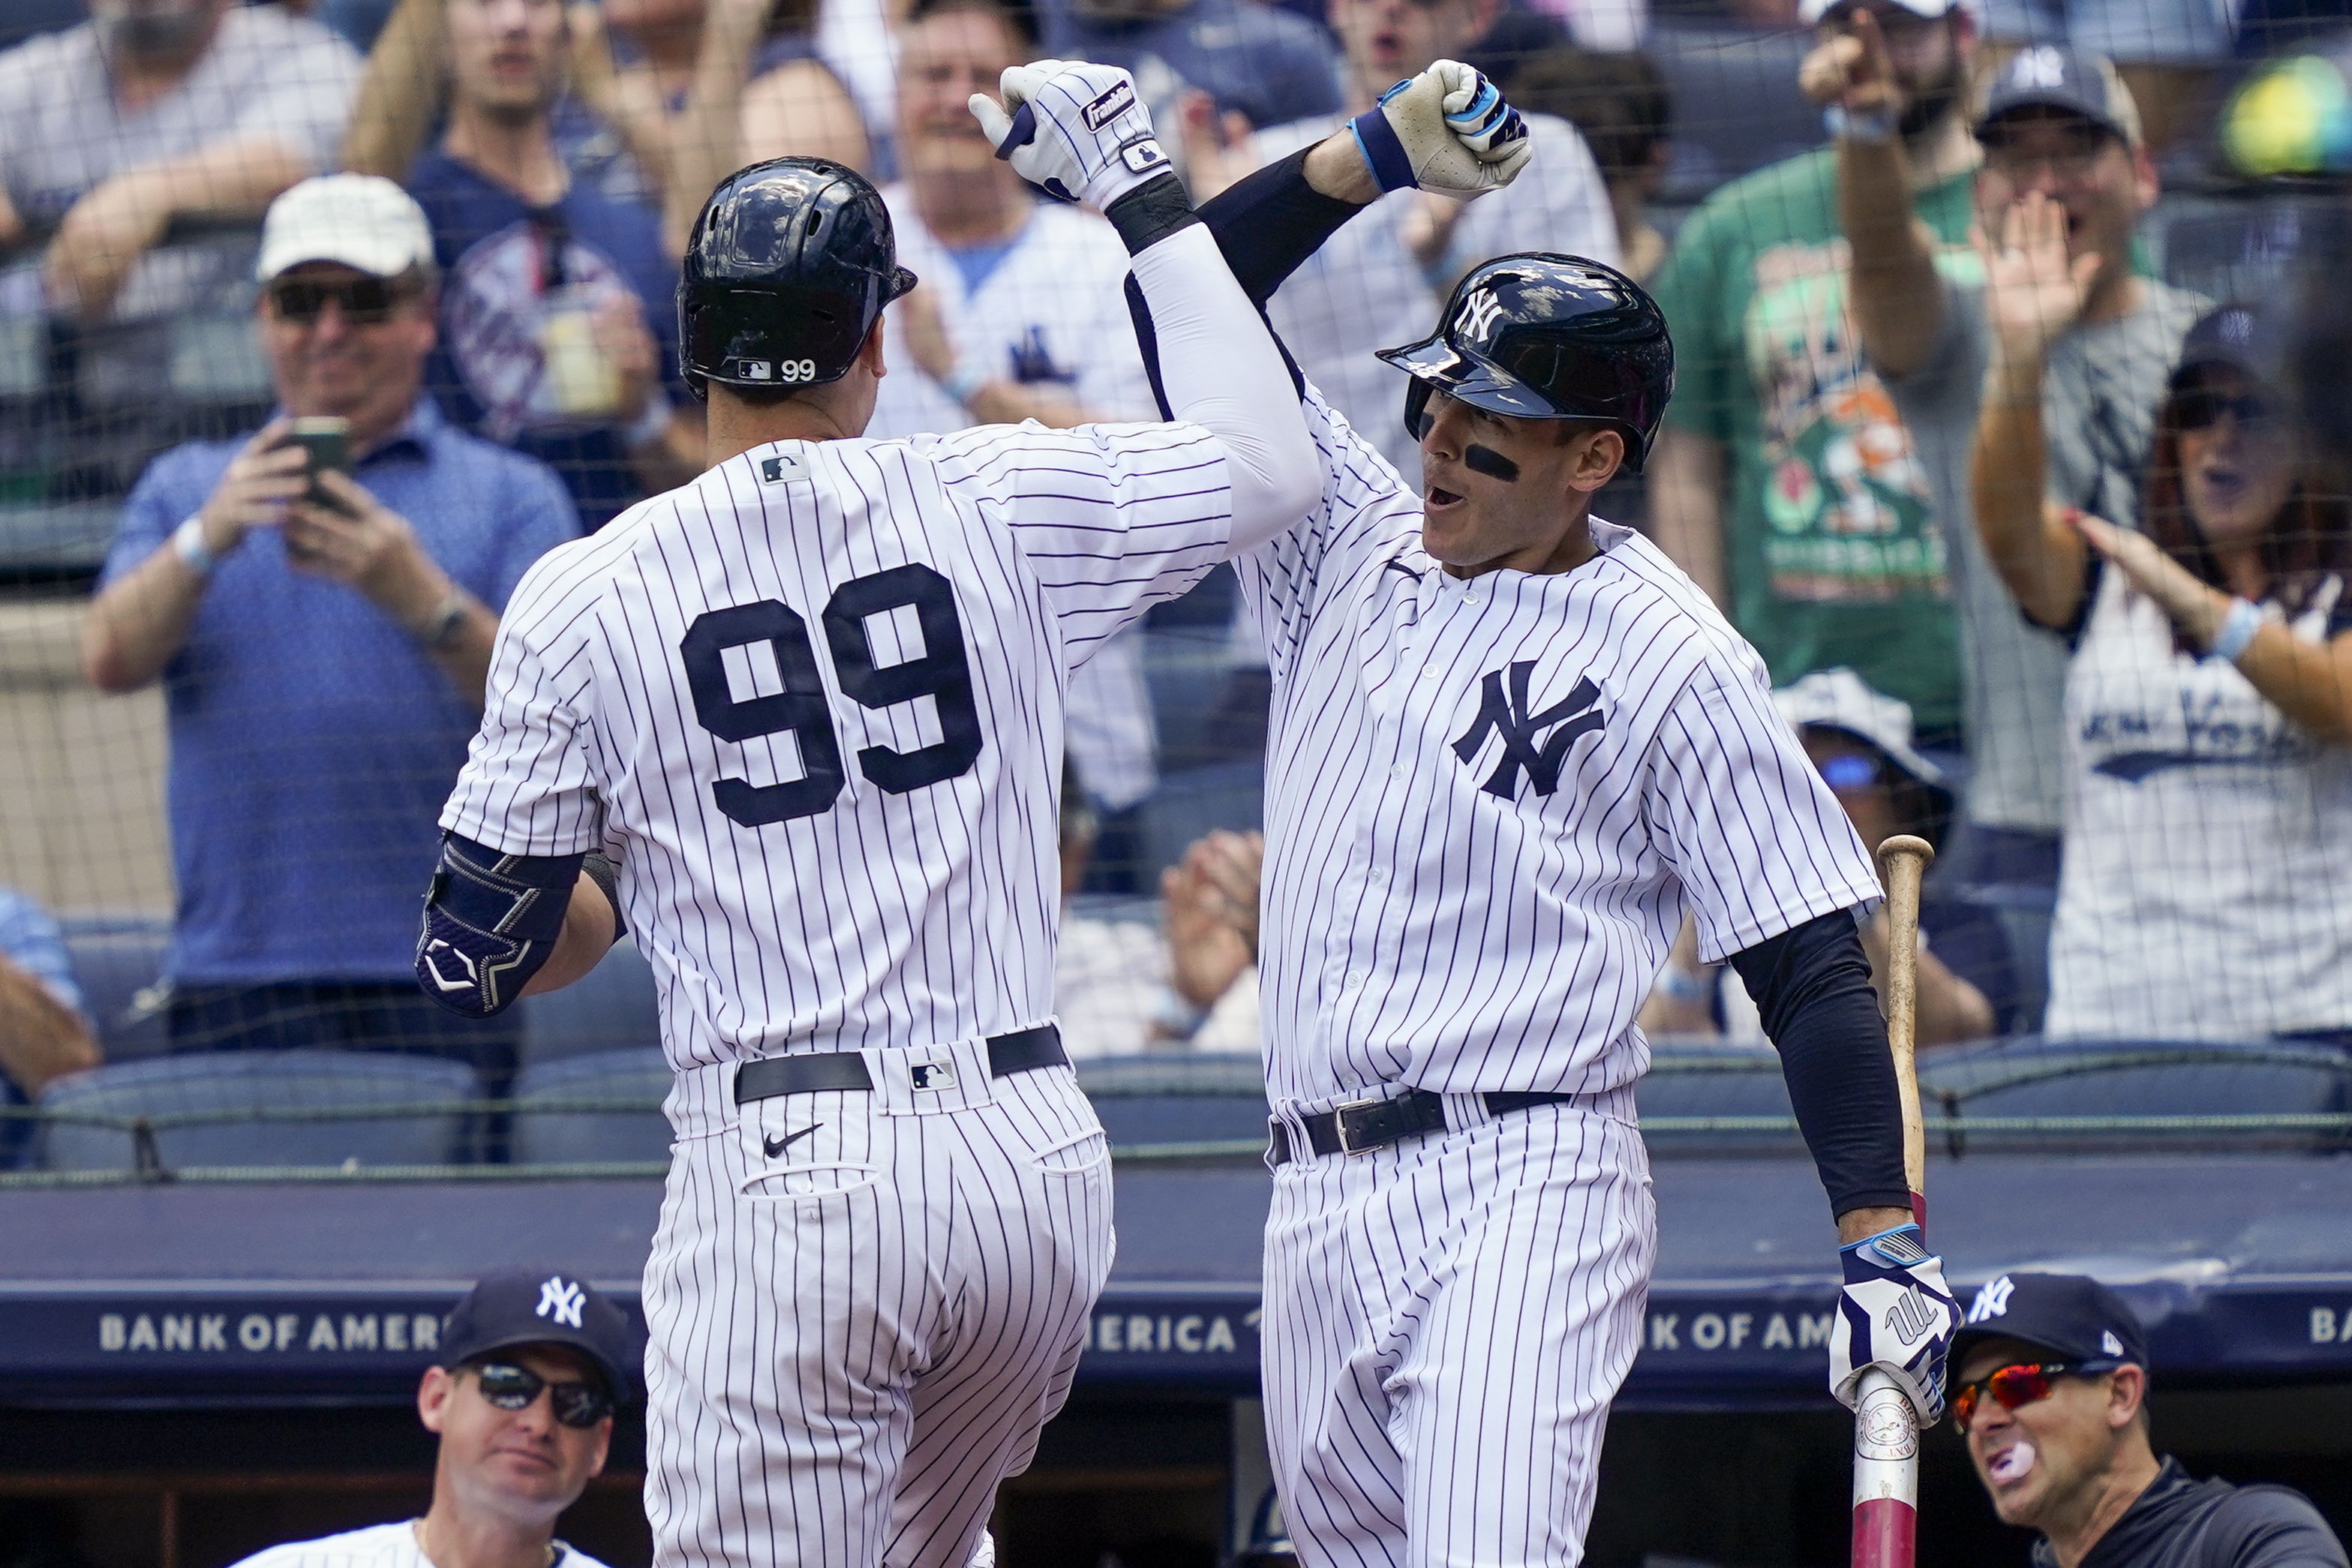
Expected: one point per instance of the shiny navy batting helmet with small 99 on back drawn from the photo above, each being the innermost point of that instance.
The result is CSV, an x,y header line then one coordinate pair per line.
x,y
787,272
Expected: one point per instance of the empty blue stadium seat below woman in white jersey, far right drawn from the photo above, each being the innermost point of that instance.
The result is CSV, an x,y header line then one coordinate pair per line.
x,y
2036,1078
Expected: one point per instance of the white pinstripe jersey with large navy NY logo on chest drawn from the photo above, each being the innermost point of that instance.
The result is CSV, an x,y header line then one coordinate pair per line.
x,y
1490,800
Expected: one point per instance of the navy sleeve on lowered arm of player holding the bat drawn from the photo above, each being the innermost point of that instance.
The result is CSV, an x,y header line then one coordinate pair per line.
x,y
1812,989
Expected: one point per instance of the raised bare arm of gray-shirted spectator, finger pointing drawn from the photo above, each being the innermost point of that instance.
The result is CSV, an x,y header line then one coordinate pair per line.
x,y
1897,295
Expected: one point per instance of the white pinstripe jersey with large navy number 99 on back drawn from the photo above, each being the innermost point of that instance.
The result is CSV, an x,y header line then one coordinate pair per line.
x,y
815,704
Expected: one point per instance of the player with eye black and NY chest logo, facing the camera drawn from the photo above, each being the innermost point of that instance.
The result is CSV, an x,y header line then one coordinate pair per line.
x,y
1511,749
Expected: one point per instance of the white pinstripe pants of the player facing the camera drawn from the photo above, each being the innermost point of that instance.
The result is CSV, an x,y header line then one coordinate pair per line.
x,y
1445,1327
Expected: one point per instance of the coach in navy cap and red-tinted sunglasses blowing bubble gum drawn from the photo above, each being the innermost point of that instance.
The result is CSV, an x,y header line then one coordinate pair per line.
x,y
2052,1400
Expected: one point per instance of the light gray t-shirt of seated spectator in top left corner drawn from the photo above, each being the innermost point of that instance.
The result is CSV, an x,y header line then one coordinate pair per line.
x,y
62,133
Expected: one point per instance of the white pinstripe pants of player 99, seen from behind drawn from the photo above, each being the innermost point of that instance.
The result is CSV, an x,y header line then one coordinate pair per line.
x,y
862,1308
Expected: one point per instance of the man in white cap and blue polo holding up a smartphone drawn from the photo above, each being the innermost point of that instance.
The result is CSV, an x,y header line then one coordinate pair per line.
x,y
323,638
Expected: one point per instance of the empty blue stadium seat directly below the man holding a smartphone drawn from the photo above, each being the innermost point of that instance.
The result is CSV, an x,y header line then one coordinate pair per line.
x,y
236,1085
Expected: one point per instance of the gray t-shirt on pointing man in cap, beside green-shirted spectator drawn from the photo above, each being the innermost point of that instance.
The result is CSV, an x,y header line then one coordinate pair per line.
x,y
2099,408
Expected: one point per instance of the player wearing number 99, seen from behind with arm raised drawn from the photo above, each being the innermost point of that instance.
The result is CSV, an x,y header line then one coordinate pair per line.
x,y
813,709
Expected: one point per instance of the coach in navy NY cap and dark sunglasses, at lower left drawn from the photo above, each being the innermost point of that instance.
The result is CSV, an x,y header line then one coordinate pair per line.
x,y
521,1400
